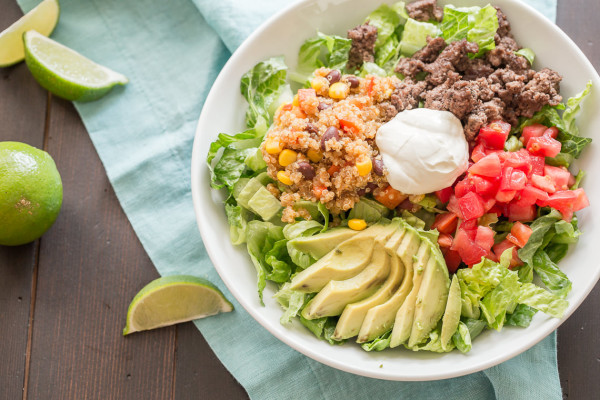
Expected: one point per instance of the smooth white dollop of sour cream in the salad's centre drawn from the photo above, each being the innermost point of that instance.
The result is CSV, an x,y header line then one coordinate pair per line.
x,y
423,150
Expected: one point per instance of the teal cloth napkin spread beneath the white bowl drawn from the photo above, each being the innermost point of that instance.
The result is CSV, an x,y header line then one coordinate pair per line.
x,y
172,51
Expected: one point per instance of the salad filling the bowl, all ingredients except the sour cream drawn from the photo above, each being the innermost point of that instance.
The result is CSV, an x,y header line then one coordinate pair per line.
x,y
354,257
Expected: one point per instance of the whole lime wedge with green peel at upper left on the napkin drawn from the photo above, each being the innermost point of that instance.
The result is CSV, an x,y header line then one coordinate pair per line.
x,y
65,72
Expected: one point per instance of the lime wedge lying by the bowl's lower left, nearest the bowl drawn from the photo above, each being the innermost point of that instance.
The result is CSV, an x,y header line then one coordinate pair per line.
x,y
173,299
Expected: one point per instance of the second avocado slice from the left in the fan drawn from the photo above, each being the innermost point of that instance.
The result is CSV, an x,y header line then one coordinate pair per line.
x,y
345,261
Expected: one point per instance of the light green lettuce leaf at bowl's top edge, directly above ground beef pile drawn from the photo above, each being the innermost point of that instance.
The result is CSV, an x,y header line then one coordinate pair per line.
x,y
476,24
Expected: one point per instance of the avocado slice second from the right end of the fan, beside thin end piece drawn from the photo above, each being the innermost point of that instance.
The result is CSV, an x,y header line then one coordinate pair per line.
x,y
432,298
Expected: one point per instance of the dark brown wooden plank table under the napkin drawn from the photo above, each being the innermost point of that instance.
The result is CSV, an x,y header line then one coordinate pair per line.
x,y
63,299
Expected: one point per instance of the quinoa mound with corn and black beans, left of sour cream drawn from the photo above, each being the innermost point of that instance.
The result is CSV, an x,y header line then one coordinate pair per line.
x,y
321,146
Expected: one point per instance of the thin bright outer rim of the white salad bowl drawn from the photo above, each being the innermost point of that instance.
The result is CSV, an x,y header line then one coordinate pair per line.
x,y
198,166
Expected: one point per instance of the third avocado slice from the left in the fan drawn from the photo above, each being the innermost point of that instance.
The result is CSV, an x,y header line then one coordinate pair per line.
x,y
332,299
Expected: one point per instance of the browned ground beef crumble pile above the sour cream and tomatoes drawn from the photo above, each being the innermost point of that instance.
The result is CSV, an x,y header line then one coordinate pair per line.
x,y
500,85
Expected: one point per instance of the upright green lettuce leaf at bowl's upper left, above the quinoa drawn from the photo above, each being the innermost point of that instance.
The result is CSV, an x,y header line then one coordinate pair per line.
x,y
261,86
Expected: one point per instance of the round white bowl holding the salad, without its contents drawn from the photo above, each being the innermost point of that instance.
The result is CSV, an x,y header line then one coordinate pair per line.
x,y
224,112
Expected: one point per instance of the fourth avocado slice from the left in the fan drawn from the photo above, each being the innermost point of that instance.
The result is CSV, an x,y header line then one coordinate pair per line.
x,y
353,315
